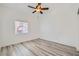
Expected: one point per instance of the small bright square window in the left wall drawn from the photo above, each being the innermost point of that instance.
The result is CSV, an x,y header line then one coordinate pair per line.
x,y
21,27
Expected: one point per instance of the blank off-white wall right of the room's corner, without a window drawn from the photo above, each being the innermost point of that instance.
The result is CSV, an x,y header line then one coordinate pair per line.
x,y
61,24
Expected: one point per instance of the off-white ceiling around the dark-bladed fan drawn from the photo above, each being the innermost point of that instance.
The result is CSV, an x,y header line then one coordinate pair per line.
x,y
22,7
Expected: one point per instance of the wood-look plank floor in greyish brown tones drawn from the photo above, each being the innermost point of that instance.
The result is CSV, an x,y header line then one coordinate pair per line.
x,y
38,47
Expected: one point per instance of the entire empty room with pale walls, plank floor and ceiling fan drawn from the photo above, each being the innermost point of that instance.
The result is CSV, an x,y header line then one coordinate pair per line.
x,y
39,29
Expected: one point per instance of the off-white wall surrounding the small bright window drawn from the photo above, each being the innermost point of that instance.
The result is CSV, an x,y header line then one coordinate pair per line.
x,y
9,13
